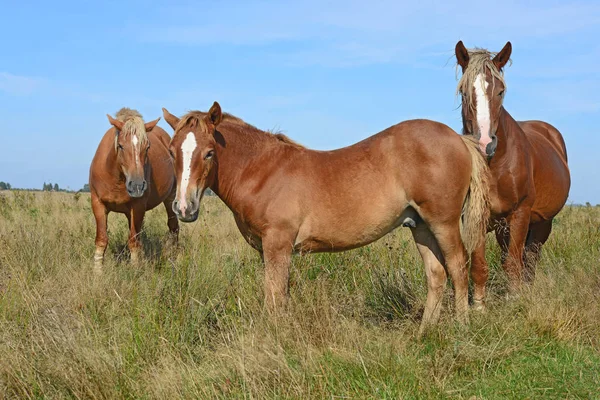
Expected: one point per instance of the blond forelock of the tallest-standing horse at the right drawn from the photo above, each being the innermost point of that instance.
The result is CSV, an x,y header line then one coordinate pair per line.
x,y
479,61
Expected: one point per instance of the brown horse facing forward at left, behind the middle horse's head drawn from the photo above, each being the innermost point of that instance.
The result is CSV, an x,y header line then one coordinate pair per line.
x,y
130,174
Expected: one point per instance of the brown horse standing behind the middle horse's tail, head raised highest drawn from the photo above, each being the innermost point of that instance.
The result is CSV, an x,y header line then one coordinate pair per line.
x,y
528,163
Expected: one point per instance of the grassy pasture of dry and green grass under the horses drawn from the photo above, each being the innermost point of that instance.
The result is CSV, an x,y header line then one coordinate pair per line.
x,y
189,322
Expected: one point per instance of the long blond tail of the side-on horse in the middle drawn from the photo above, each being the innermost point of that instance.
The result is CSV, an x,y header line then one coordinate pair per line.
x,y
476,208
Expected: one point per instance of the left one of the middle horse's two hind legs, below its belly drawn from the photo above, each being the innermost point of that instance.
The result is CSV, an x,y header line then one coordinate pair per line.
x,y
435,272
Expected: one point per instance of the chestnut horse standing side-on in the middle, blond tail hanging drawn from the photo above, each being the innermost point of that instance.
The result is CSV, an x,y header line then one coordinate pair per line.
x,y
286,198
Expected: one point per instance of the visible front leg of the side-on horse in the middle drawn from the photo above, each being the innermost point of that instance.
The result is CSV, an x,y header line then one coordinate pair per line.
x,y
277,255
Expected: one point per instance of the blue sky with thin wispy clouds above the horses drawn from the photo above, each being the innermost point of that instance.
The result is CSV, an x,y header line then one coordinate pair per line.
x,y
326,73
